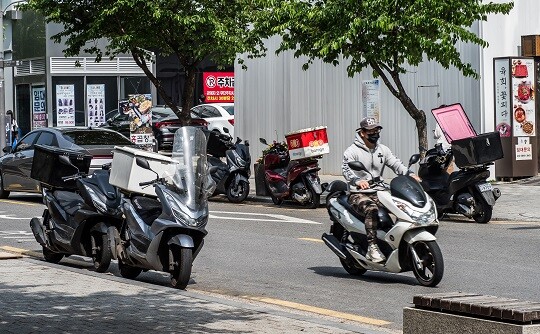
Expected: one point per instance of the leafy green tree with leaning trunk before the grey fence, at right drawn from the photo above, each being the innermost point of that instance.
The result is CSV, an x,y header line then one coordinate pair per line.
x,y
386,35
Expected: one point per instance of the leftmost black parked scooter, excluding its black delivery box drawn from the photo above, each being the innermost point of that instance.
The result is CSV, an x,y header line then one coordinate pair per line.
x,y
78,221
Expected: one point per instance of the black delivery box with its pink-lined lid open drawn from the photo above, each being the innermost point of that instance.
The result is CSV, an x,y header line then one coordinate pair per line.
x,y
469,149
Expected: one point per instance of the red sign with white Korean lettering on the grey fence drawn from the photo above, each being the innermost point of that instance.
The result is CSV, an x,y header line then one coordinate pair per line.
x,y
218,87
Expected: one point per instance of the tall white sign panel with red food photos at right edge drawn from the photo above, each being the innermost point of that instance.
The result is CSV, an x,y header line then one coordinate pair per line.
x,y
524,109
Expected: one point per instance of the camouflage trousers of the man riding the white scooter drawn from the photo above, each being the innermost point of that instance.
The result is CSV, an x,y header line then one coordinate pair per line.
x,y
367,205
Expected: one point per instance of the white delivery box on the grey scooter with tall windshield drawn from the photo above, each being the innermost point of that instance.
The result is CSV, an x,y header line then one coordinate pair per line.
x,y
126,174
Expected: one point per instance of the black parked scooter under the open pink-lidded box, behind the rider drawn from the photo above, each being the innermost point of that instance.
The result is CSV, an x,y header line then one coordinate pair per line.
x,y
465,191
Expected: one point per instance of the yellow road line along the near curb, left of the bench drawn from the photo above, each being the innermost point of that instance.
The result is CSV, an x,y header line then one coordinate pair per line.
x,y
321,311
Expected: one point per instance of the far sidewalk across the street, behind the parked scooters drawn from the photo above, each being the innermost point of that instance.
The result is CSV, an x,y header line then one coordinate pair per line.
x,y
520,200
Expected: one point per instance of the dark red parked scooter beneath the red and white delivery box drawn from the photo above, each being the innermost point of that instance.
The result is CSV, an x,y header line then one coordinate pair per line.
x,y
296,180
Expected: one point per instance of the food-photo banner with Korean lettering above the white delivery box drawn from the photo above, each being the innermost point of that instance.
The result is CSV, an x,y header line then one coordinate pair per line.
x,y
139,109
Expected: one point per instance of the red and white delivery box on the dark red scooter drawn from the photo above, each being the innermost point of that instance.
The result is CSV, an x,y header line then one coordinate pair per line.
x,y
307,143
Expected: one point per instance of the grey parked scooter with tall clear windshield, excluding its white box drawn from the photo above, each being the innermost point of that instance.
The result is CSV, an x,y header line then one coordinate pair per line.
x,y
166,234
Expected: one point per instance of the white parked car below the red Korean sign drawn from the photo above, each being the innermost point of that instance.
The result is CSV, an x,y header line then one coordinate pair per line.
x,y
218,116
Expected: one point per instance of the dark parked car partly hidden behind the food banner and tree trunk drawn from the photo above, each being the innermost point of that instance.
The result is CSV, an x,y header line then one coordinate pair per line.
x,y
164,124
